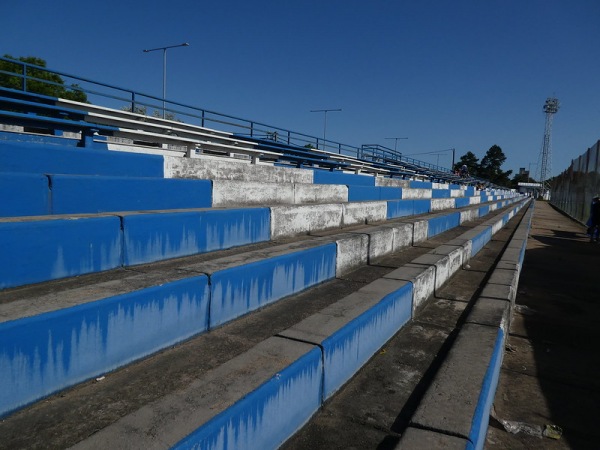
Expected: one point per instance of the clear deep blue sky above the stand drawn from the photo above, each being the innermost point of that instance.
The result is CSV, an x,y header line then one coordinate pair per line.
x,y
466,74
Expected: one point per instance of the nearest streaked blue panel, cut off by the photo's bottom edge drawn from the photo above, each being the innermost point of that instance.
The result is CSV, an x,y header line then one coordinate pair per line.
x,y
269,415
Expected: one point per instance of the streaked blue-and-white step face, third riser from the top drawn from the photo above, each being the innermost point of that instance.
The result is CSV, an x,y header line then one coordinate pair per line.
x,y
44,248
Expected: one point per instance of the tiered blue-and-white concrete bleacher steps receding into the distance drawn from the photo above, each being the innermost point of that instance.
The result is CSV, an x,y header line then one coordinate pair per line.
x,y
108,258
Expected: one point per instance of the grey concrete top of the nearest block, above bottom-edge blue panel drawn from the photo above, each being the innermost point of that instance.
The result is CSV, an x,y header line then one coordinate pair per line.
x,y
164,423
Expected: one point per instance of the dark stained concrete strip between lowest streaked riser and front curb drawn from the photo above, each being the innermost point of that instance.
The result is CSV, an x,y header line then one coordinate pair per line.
x,y
374,409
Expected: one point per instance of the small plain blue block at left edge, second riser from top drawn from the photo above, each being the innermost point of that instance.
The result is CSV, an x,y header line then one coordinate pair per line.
x,y
24,194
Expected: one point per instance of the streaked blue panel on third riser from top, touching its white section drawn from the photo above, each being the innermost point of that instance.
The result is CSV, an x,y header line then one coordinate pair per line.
x,y
154,237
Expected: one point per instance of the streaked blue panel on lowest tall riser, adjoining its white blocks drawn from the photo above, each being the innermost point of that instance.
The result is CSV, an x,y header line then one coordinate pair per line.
x,y
348,349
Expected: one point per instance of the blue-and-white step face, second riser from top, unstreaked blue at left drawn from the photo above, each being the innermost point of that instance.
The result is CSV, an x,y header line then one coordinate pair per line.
x,y
32,194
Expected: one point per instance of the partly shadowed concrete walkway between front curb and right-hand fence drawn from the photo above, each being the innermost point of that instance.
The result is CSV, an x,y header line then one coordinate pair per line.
x,y
551,370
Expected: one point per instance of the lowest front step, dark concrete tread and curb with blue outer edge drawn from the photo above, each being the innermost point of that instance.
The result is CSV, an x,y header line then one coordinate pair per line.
x,y
431,385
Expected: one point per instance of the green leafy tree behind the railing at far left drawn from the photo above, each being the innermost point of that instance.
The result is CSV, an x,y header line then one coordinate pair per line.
x,y
39,80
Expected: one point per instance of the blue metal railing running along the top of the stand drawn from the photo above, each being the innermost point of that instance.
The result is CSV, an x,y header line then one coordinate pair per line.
x,y
103,94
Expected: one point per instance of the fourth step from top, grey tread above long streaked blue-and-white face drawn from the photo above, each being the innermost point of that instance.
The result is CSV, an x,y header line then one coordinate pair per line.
x,y
179,294
